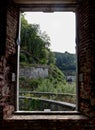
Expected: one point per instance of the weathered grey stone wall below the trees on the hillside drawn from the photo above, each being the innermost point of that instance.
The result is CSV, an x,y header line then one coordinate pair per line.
x,y
33,72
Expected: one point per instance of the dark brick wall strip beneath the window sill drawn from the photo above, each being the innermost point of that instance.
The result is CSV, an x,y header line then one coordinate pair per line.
x,y
49,124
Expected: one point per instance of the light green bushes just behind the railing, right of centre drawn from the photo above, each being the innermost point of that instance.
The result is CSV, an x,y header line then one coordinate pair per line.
x,y
55,86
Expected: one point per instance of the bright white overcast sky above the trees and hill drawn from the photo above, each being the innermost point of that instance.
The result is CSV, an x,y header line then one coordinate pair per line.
x,y
59,26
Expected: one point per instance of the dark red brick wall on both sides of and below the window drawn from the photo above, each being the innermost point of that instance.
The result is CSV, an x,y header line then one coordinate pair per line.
x,y
86,69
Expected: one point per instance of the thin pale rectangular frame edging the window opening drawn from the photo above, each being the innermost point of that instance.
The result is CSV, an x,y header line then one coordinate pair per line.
x,y
44,8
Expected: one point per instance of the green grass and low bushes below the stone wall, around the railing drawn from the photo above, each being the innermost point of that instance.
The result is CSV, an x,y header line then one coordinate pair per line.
x,y
54,83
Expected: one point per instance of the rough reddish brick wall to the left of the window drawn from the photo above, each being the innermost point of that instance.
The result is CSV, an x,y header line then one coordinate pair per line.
x,y
8,61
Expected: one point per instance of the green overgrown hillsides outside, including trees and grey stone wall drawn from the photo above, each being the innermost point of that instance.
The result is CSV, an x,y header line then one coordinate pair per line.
x,y
42,71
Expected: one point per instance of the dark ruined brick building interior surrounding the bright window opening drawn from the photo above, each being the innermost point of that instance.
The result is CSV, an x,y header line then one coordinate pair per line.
x,y
84,117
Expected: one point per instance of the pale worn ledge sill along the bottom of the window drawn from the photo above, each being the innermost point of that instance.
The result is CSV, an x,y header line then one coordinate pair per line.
x,y
47,116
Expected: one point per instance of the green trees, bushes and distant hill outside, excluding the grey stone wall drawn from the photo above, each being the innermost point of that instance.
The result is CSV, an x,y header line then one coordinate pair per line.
x,y
35,51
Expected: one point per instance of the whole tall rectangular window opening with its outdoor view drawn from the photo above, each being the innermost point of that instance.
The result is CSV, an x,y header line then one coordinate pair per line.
x,y
47,62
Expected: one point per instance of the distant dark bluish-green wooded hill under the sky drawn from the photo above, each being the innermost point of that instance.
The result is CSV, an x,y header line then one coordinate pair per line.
x,y
66,62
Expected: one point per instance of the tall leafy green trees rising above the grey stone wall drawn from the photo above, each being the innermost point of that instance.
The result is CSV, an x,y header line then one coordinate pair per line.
x,y
34,44
